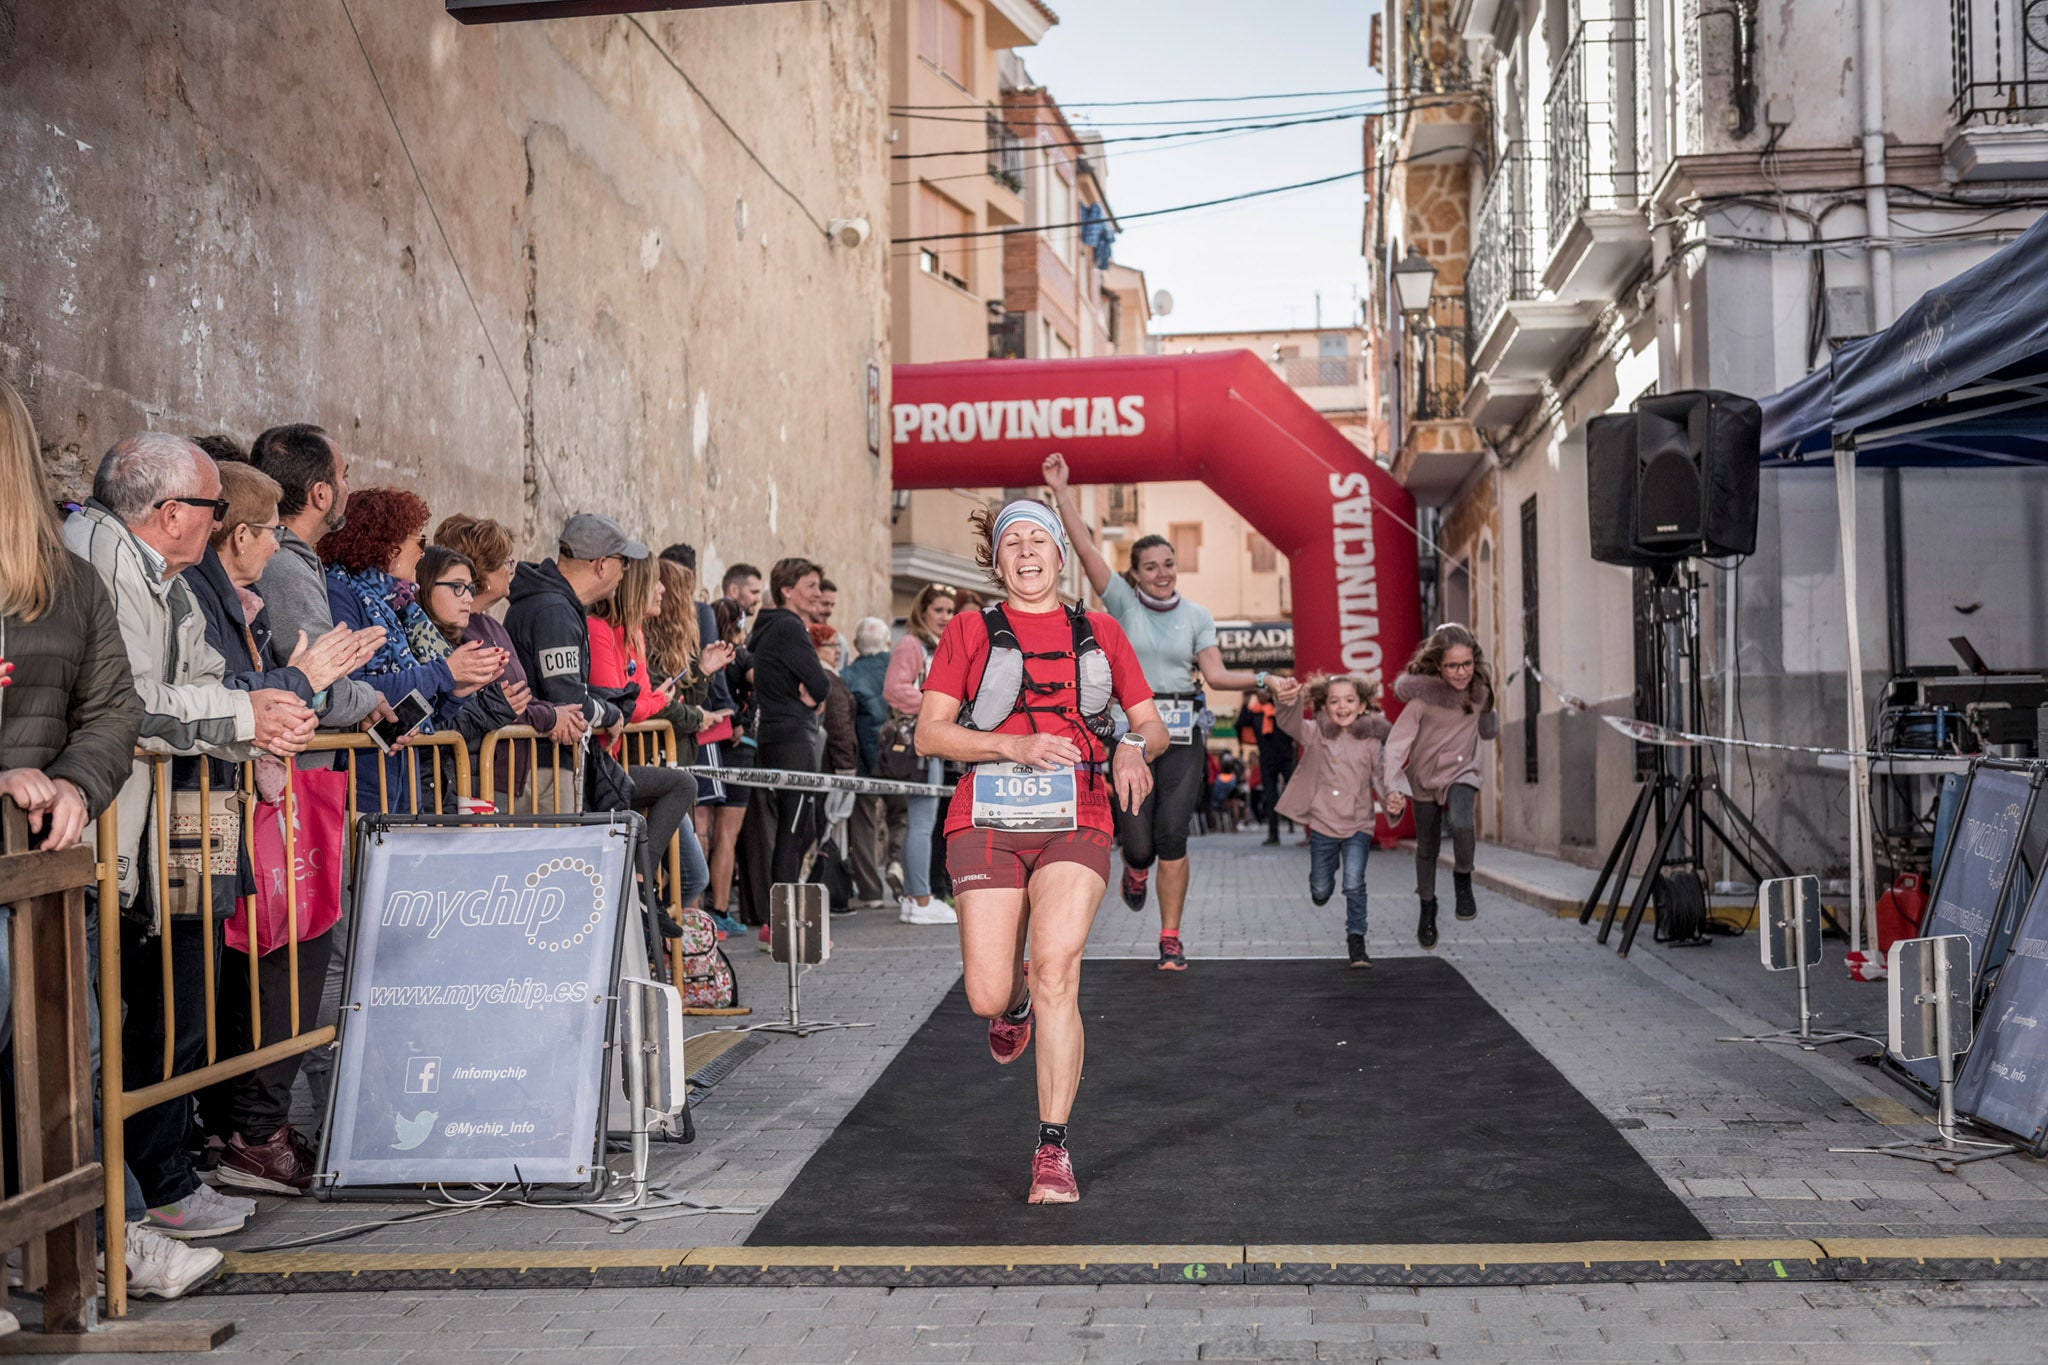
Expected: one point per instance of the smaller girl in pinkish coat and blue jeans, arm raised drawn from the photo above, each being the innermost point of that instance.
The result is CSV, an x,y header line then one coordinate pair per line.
x,y
1334,787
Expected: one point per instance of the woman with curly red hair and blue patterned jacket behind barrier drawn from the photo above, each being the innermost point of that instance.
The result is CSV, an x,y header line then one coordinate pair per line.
x,y
372,564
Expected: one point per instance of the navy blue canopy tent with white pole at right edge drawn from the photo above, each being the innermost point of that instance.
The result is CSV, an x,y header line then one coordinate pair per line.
x,y
1959,382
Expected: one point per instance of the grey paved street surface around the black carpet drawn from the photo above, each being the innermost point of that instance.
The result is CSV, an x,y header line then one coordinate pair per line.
x,y
1738,1131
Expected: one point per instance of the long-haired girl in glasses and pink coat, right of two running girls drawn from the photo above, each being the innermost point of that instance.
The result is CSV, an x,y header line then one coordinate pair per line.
x,y
1435,758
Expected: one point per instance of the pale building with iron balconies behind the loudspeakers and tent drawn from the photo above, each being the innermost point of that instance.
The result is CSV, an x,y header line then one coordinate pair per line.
x,y
1687,195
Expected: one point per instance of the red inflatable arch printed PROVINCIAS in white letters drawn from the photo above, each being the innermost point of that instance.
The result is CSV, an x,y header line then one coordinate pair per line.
x,y
1224,419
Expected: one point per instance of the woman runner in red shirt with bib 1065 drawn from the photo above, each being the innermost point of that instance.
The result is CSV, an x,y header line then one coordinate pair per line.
x,y
1029,828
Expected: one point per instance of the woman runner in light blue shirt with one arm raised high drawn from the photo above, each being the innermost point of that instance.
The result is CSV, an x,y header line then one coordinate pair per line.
x,y
1177,646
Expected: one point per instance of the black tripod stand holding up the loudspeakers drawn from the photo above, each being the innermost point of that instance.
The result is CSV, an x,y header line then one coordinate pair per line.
x,y
1678,801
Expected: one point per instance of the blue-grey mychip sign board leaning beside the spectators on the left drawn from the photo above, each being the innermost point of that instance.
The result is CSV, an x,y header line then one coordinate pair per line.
x,y
480,977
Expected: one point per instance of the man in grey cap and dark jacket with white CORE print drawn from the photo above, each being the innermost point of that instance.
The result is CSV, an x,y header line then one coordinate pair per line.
x,y
548,619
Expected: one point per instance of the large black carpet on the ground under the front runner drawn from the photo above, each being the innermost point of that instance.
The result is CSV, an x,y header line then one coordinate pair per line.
x,y
1240,1102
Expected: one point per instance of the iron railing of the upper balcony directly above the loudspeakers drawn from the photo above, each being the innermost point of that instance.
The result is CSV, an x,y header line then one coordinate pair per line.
x,y
1592,116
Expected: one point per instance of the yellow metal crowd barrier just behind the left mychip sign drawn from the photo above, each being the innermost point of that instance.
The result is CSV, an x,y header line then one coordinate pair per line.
x,y
450,789
